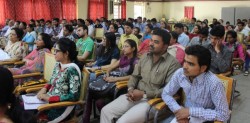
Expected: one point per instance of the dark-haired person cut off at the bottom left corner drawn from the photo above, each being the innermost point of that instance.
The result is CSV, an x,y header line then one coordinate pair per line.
x,y
6,96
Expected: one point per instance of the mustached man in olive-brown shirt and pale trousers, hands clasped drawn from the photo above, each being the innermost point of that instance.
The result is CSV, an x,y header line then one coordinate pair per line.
x,y
150,75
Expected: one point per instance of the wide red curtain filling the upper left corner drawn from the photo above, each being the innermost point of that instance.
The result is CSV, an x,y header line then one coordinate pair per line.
x,y
24,10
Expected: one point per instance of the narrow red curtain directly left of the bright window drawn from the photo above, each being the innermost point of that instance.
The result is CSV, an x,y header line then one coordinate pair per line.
x,y
97,9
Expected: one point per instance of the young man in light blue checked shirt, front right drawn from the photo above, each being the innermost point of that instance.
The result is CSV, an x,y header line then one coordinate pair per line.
x,y
205,98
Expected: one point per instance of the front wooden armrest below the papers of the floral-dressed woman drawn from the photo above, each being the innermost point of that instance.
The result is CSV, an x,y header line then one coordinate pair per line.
x,y
59,105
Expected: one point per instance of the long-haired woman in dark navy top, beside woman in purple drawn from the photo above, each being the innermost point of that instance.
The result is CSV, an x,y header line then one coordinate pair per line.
x,y
108,53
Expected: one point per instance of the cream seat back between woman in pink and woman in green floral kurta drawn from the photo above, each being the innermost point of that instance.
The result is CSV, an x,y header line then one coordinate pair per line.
x,y
49,65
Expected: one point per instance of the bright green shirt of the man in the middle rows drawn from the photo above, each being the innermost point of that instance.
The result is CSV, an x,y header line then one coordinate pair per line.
x,y
84,46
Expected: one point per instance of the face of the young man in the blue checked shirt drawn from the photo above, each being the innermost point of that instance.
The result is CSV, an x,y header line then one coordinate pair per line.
x,y
191,66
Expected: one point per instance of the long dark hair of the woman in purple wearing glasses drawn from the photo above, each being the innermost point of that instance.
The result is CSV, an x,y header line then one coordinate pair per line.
x,y
132,44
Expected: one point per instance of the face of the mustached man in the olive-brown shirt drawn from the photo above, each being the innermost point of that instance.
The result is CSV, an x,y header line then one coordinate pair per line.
x,y
156,45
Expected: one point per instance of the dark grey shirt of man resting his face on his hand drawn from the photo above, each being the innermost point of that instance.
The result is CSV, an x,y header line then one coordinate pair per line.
x,y
220,62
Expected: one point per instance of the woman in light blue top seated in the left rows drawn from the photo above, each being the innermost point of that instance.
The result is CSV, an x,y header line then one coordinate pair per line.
x,y
30,37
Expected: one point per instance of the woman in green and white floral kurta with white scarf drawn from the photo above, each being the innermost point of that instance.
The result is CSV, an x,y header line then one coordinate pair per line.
x,y
65,82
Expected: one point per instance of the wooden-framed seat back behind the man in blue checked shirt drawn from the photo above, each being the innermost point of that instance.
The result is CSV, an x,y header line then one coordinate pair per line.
x,y
229,85
